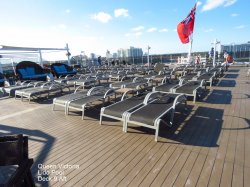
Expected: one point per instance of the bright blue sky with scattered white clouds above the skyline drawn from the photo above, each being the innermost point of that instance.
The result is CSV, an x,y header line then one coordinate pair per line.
x,y
95,26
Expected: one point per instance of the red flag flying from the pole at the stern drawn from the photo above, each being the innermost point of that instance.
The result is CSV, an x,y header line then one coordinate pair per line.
x,y
186,27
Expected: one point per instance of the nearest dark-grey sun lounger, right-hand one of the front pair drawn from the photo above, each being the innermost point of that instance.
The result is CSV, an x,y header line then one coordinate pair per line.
x,y
152,114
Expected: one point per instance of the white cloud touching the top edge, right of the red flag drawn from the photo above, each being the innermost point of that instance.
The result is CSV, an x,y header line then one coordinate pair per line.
x,y
212,4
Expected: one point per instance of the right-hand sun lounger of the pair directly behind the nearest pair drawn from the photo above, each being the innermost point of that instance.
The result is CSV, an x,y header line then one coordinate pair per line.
x,y
191,88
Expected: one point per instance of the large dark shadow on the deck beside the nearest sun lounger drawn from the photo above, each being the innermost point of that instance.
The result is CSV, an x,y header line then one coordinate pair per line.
x,y
201,129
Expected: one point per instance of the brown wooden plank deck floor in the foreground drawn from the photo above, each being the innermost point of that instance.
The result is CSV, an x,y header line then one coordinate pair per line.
x,y
209,145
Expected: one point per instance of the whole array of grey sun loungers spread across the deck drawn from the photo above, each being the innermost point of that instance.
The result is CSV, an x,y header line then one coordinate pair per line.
x,y
148,108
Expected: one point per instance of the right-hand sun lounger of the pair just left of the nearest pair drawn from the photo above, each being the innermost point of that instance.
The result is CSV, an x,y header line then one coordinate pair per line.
x,y
97,94
